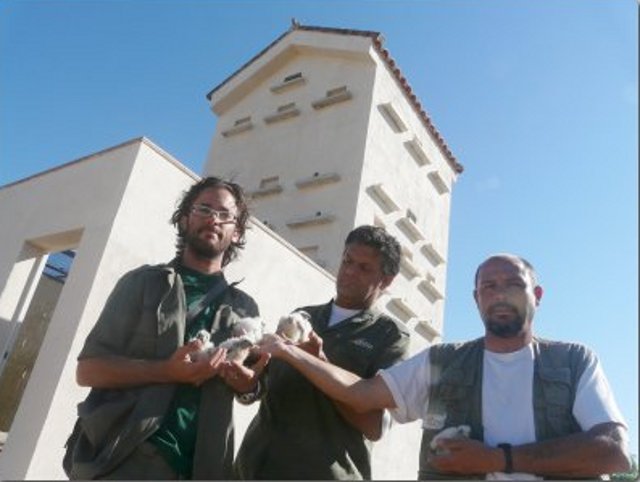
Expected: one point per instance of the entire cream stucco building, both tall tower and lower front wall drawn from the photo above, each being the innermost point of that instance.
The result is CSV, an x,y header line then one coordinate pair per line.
x,y
323,129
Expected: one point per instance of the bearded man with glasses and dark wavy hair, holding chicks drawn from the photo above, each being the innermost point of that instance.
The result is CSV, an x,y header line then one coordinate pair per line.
x,y
154,410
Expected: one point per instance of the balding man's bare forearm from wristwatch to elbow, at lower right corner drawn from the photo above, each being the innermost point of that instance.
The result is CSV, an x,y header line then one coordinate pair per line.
x,y
601,450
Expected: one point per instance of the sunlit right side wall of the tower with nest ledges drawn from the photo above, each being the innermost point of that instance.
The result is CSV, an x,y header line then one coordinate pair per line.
x,y
391,166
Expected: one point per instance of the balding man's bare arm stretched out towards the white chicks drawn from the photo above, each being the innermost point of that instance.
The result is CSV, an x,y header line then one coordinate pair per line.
x,y
360,395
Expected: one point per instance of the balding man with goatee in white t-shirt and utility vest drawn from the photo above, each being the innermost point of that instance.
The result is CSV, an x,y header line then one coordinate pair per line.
x,y
529,407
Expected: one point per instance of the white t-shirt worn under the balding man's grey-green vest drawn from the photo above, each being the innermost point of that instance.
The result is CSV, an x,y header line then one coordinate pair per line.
x,y
507,396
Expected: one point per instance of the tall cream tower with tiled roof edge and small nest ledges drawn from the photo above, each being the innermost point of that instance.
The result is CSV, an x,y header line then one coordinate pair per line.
x,y
324,131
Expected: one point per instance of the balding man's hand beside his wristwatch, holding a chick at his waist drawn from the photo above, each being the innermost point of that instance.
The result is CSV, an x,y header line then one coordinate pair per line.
x,y
465,457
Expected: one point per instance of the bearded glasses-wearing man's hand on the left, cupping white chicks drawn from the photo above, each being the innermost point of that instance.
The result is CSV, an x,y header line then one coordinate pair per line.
x,y
182,367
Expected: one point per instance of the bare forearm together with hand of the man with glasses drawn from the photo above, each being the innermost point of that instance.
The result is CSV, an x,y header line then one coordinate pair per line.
x,y
120,372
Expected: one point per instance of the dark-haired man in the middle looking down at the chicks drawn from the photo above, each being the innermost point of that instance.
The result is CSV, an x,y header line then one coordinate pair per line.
x,y
299,433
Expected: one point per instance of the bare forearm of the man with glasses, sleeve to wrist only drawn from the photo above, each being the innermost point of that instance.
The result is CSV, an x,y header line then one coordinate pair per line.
x,y
121,372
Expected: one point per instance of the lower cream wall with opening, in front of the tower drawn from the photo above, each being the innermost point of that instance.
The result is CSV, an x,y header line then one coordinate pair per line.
x,y
121,201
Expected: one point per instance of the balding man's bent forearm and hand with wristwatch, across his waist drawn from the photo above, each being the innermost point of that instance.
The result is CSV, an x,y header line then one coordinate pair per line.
x,y
600,450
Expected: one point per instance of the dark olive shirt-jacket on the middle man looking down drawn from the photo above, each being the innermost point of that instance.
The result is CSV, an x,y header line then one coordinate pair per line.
x,y
298,432
